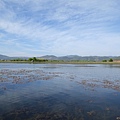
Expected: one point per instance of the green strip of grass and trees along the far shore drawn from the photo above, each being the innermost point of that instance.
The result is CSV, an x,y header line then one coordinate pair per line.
x,y
45,61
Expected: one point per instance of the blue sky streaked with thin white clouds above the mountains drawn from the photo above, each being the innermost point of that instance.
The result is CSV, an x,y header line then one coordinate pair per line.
x,y
60,27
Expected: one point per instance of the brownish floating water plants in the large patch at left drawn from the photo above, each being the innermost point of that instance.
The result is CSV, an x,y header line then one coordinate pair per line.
x,y
24,76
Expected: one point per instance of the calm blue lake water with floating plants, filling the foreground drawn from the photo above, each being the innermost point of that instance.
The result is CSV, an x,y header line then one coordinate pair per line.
x,y
59,91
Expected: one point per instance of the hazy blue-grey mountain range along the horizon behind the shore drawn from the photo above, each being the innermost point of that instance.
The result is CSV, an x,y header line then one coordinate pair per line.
x,y
66,58
